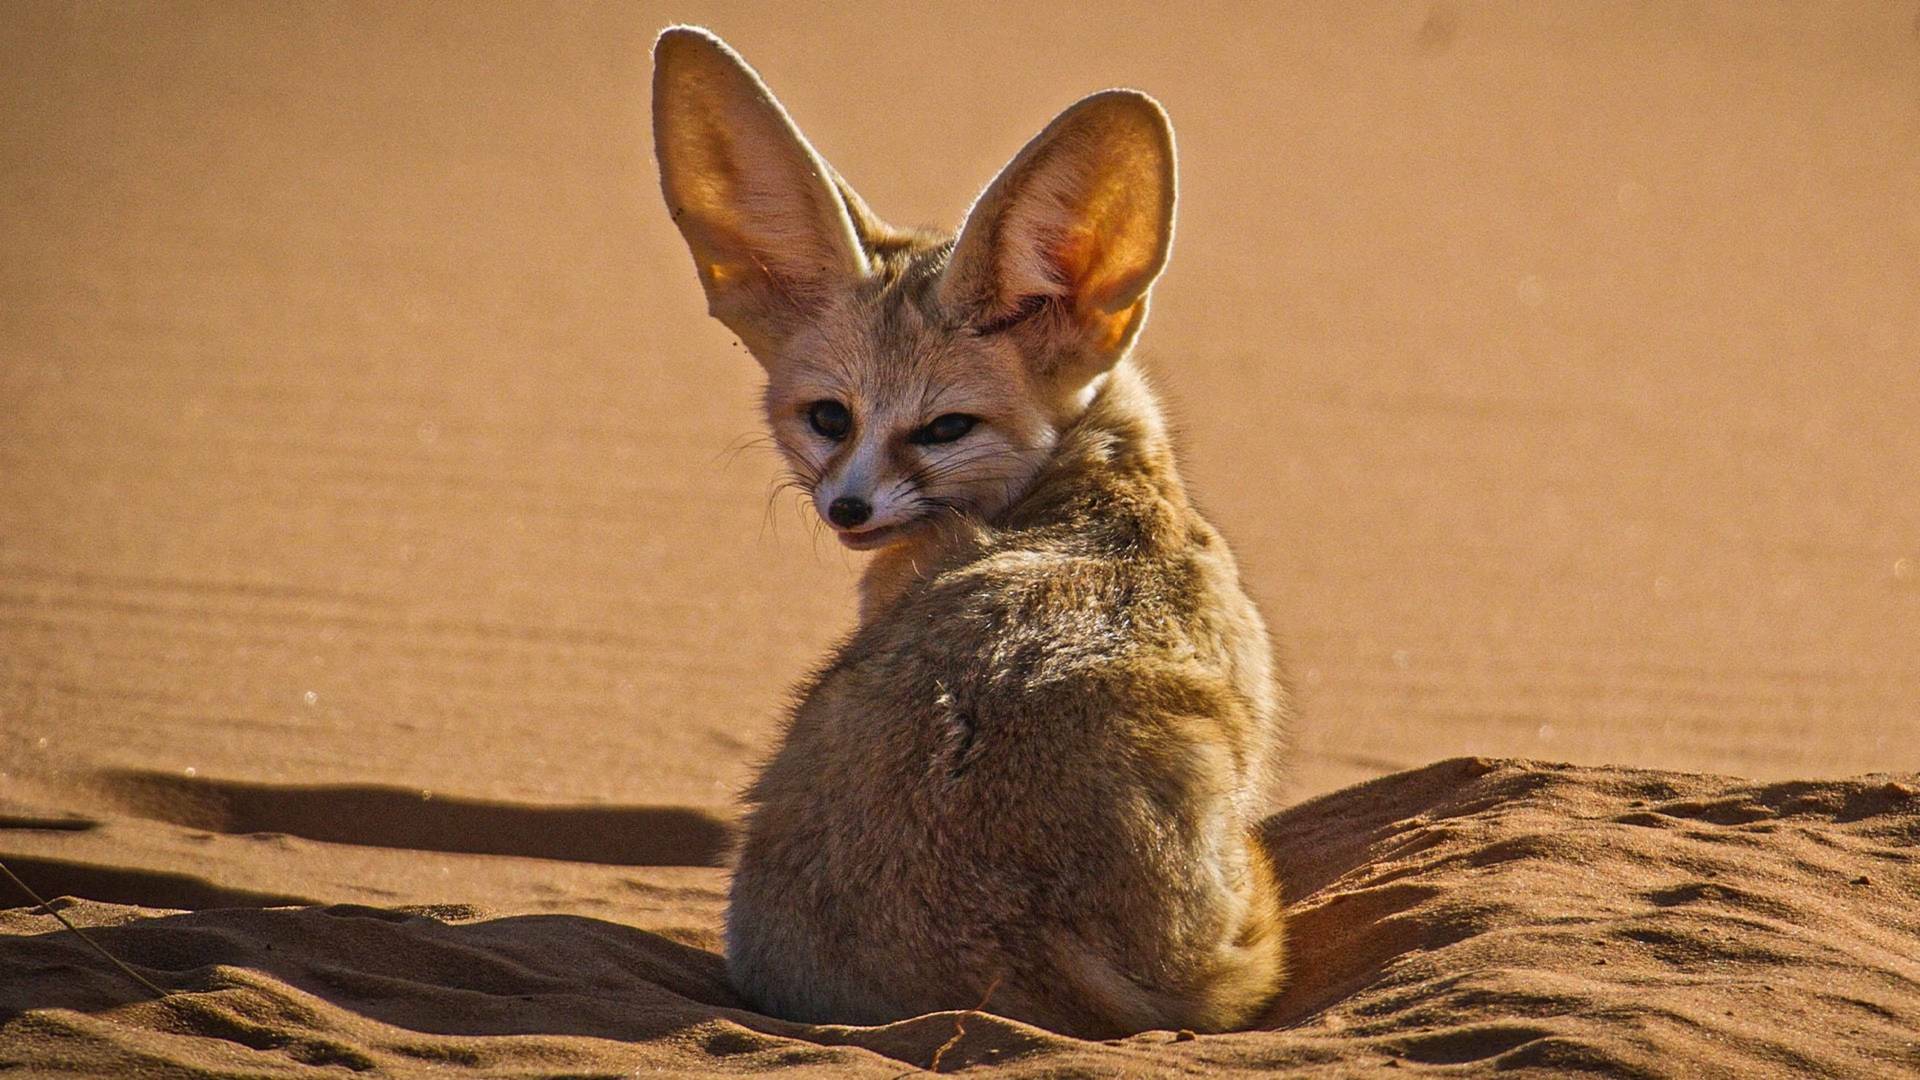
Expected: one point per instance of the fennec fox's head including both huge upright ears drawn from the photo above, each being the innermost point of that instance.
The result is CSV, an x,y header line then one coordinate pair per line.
x,y
913,378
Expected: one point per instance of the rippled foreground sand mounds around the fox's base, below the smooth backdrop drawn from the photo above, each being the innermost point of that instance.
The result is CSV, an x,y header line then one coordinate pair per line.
x,y
1472,914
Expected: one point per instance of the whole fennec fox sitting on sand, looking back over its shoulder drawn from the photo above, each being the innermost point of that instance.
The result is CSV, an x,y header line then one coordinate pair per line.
x,y
1032,770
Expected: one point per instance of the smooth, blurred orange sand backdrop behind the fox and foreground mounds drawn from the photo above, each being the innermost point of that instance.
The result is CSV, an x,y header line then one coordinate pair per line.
x,y
1554,370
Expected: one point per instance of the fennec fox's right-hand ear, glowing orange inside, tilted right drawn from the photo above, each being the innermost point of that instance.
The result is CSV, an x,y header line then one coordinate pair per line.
x,y
1070,235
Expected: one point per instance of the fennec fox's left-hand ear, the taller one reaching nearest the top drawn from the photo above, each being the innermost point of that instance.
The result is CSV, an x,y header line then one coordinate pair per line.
x,y
771,226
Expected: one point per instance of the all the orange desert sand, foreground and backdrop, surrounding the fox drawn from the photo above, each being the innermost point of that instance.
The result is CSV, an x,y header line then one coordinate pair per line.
x,y
381,533
